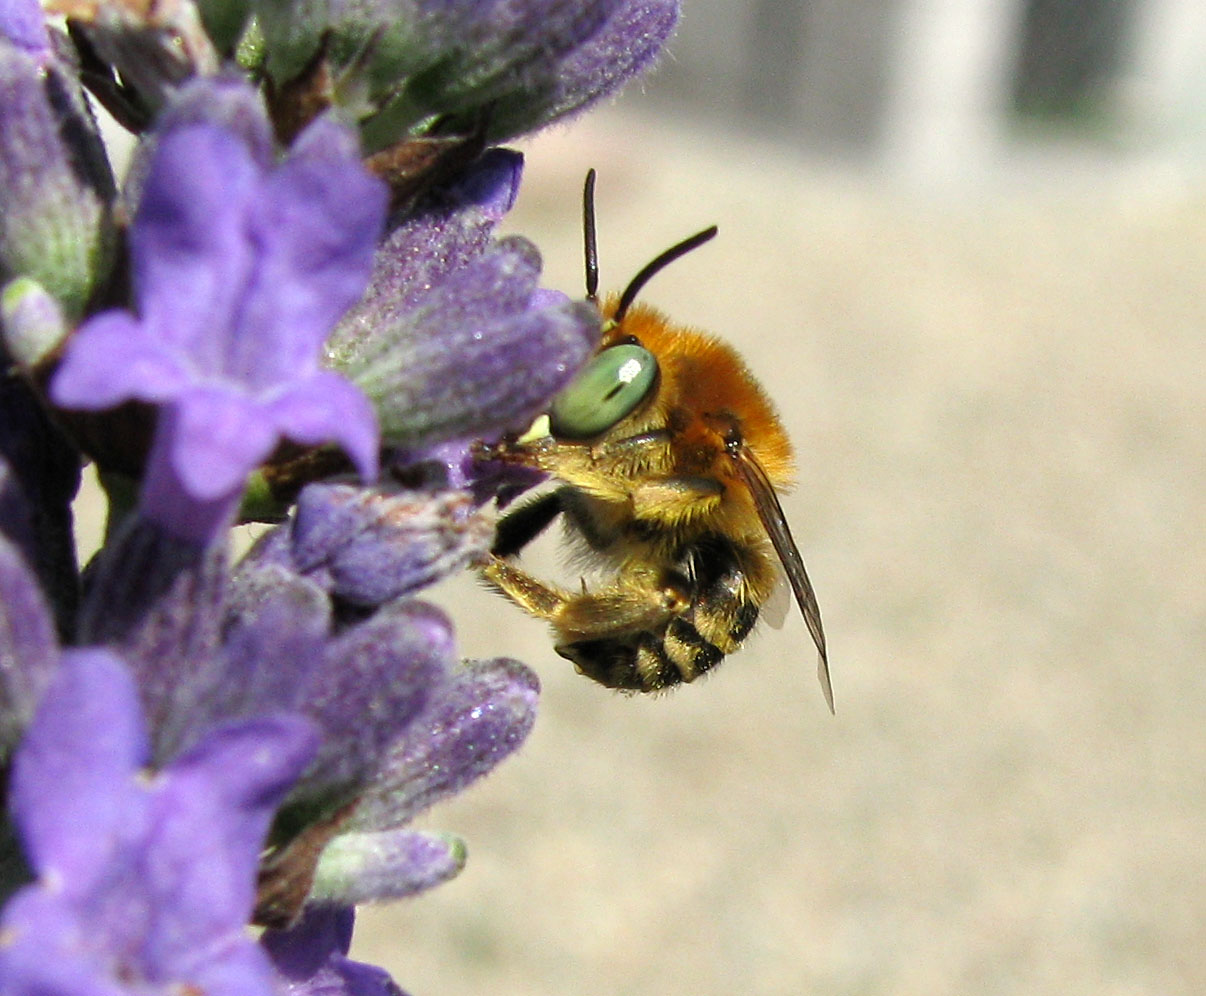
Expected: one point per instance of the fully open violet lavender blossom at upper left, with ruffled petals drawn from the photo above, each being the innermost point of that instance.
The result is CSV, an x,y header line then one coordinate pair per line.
x,y
241,273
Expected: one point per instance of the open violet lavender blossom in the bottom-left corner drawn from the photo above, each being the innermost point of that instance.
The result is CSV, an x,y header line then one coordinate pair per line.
x,y
145,883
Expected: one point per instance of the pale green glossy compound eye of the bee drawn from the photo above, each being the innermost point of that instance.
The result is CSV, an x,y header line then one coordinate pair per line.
x,y
611,388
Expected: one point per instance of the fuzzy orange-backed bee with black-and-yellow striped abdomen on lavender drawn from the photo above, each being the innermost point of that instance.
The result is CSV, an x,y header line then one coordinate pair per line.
x,y
669,455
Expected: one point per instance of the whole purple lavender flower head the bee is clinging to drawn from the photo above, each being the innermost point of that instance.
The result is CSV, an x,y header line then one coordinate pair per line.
x,y
257,323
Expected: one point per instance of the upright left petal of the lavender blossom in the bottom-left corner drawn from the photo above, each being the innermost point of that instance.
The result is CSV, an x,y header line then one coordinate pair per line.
x,y
74,794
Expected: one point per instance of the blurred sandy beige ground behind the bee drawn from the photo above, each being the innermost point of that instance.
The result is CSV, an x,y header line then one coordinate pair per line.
x,y
997,391
